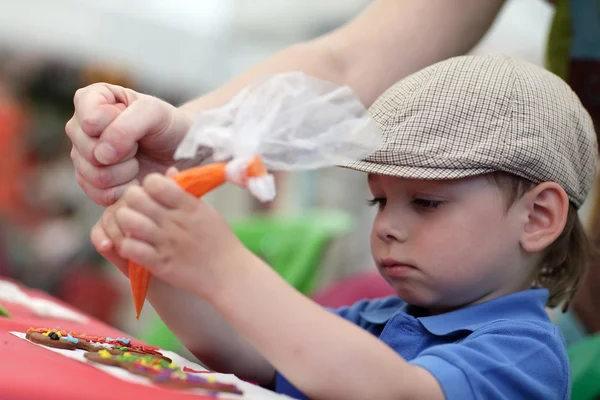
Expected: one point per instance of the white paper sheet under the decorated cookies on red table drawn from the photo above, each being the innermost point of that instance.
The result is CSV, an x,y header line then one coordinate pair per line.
x,y
251,392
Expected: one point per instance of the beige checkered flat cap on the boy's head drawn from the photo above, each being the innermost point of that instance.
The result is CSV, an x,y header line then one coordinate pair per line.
x,y
473,115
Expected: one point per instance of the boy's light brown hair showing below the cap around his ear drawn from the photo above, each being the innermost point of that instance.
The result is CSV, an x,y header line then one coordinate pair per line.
x,y
564,262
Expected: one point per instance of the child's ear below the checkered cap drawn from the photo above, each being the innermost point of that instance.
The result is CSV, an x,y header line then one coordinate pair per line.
x,y
547,207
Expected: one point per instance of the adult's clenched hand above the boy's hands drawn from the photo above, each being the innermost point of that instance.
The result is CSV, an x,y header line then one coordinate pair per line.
x,y
119,136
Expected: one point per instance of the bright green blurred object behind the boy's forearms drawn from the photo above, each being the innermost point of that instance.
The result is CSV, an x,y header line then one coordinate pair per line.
x,y
292,246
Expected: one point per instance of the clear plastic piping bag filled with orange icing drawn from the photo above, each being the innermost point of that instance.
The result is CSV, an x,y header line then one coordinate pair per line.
x,y
282,122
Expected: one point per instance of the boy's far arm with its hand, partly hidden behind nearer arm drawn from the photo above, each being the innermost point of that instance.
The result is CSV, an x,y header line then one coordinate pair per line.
x,y
195,322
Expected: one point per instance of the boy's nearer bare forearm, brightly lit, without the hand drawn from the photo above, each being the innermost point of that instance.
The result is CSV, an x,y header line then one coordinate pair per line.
x,y
322,354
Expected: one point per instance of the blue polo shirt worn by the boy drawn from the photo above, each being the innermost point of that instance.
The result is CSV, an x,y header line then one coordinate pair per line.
x,y
506,348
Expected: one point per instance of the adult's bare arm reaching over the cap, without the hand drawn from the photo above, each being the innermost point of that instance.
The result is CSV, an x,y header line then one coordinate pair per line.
x,y
388,41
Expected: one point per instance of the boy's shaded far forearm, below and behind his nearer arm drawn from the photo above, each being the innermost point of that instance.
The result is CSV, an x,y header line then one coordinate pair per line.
x,y
207,334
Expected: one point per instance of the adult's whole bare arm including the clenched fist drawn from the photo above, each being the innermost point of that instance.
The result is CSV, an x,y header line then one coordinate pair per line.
x,y
120,135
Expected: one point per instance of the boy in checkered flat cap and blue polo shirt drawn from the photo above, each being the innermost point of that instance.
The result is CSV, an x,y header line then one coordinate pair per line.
x,y
484,164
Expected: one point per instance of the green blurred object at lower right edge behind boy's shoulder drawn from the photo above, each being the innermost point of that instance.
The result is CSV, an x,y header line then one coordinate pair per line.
x,y
585,369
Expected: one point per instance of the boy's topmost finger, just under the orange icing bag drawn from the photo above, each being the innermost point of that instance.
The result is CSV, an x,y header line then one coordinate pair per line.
x,y
167,192
